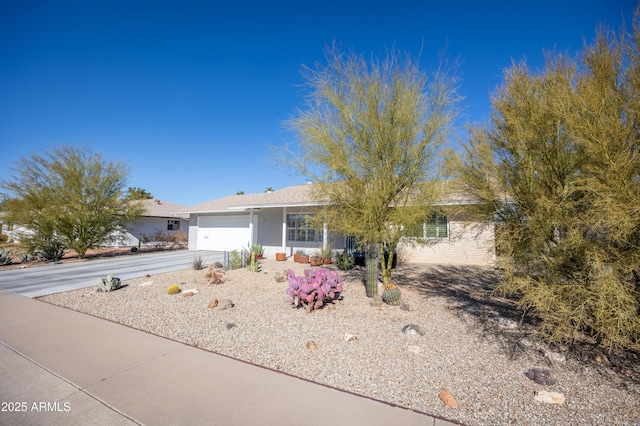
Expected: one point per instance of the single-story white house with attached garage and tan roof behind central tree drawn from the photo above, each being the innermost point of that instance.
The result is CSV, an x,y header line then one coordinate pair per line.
x,y
278,221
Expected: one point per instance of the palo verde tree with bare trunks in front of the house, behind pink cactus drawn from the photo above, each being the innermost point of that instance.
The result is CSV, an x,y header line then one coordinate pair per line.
x,y
367,138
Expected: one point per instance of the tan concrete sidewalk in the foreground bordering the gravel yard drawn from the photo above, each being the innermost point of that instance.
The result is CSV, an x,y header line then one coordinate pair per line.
x,y
60,367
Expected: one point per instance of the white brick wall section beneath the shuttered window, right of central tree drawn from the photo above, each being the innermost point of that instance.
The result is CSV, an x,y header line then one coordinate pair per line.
x,y
473,244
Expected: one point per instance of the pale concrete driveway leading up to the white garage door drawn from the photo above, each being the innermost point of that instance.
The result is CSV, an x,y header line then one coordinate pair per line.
x,y
50,279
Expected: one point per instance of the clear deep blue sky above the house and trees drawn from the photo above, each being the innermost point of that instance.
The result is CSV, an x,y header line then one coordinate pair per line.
x,y
192,94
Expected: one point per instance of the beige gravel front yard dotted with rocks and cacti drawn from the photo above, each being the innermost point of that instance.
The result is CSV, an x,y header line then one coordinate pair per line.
x,y
474,346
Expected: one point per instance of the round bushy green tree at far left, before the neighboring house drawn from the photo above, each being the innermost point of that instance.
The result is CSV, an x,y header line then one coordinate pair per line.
x,y
68,198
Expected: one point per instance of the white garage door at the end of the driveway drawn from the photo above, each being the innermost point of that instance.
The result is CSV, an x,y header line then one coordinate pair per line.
x,y
224,233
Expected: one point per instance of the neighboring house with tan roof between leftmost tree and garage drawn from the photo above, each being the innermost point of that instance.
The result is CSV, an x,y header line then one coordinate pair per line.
x,y
158,219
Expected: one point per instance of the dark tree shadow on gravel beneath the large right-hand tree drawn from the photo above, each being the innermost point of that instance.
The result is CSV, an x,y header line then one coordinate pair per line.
x,y
469,289
